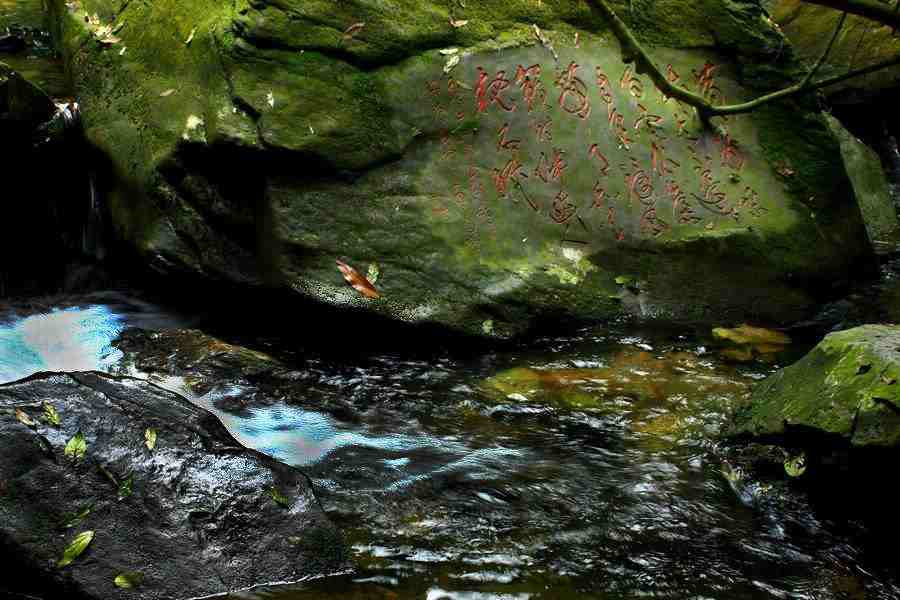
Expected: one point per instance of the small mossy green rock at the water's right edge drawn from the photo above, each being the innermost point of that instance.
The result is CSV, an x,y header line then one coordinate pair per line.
x,y
846,389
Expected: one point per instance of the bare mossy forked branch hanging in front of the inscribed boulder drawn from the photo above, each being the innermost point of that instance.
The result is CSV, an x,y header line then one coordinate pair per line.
x,y
633,51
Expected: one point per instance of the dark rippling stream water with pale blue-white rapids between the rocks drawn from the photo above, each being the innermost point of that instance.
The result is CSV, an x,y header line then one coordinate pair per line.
x,y
582,465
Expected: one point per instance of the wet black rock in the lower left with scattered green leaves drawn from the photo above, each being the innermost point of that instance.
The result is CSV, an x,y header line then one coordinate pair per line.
x,y
198,518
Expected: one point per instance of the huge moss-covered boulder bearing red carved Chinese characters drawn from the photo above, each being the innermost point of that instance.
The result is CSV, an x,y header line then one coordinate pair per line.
x,y
487,164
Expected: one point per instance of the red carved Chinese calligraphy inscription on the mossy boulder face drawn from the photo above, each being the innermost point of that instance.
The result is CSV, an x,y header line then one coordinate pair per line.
x,y
638,166
